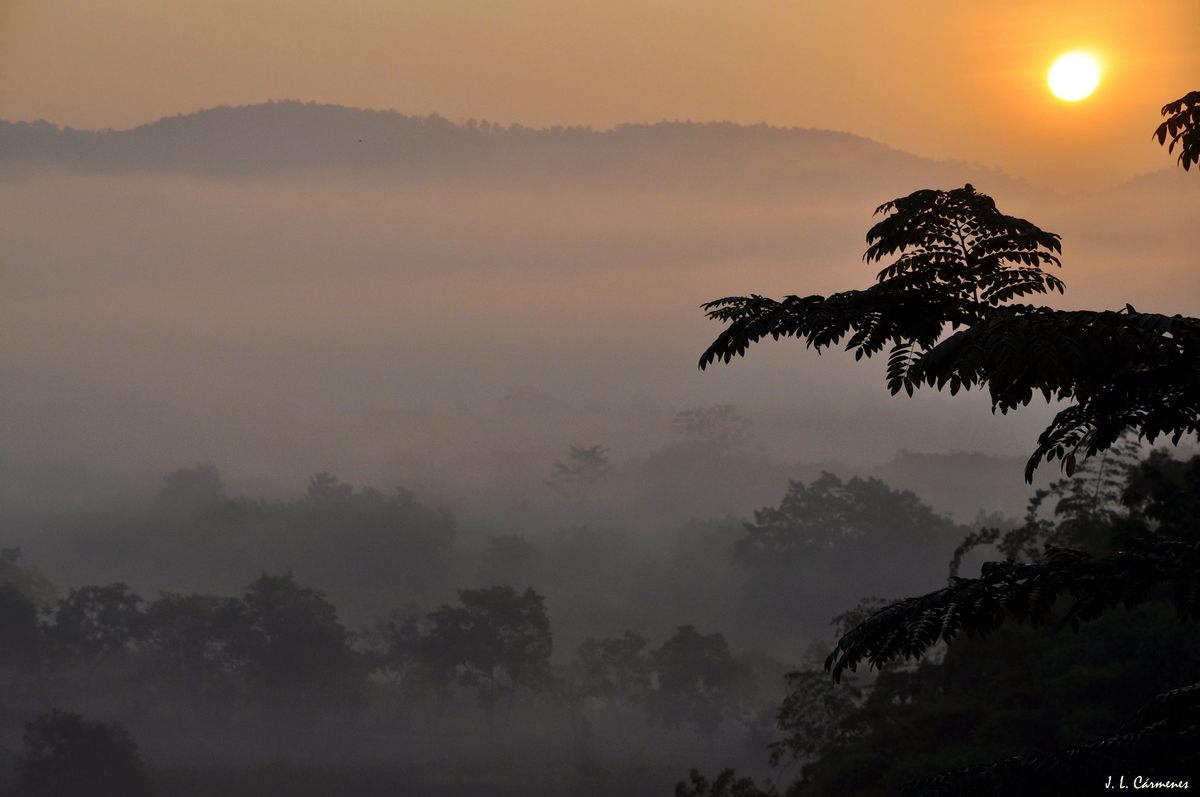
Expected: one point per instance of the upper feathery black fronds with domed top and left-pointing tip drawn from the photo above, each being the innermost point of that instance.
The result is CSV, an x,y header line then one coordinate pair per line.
x,y
959,259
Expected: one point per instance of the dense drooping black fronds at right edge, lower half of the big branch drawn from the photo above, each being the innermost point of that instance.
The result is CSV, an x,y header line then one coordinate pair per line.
x,y
1124,370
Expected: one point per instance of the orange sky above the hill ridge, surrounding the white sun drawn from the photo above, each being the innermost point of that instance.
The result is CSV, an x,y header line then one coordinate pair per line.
x,y
937,77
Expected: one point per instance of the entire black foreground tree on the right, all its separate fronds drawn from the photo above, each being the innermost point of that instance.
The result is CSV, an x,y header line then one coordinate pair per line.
x,y
959,265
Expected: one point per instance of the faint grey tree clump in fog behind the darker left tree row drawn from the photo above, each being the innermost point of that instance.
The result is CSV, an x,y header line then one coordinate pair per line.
x,y
374,546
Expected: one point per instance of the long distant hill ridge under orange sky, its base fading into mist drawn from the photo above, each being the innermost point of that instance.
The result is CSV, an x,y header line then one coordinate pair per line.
x,y
295,139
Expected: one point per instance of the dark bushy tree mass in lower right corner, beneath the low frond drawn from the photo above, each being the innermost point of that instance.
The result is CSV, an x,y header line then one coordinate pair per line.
x,y
1017,694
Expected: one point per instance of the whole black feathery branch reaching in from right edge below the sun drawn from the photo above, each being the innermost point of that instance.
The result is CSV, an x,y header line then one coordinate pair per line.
x,y
959,265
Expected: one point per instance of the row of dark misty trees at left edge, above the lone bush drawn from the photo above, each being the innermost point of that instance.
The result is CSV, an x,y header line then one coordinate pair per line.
x,y
280,642
